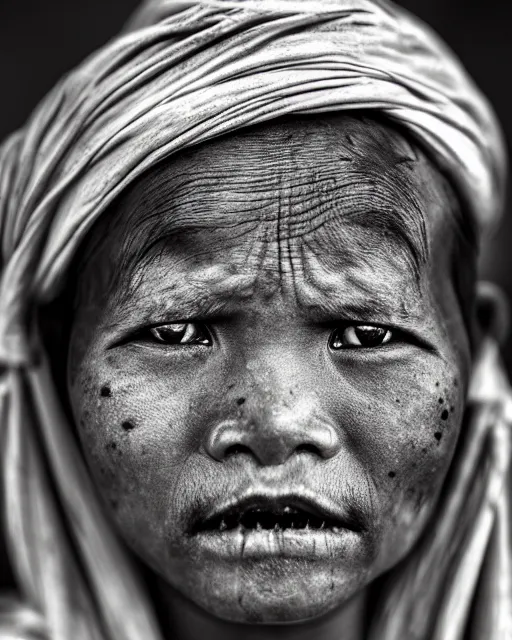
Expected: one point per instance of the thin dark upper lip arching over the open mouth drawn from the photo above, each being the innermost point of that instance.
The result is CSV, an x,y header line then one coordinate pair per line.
x,y
342,516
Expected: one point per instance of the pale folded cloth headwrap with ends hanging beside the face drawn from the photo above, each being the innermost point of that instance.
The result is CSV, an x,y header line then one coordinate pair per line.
x,y
180,74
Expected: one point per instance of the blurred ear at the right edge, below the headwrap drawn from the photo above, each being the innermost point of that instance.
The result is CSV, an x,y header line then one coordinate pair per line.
x,y
492,313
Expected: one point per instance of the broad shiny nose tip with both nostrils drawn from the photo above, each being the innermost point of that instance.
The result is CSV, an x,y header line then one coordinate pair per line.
x,y
275,436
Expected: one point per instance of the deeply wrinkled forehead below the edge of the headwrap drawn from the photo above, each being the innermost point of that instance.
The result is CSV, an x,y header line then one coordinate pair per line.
x,y
339,182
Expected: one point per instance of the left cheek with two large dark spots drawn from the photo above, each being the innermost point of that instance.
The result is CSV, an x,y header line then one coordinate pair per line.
x,y
134,431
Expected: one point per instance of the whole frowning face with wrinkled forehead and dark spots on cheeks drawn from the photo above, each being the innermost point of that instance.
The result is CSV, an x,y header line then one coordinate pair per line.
x,y
268,364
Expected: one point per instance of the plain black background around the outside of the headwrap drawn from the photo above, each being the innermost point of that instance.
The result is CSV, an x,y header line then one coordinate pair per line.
x,y
40,40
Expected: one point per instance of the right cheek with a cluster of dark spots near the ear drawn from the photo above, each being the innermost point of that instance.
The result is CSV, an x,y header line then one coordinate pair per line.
x,y
405,433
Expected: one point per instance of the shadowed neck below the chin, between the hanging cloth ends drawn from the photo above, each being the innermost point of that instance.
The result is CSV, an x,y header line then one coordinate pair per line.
x,y
182,620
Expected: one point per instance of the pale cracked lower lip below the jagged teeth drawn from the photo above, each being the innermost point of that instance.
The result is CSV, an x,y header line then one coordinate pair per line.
x,y
290,543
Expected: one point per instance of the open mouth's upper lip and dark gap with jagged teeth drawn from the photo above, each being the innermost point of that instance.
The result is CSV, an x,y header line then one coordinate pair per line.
x,y
279,514
